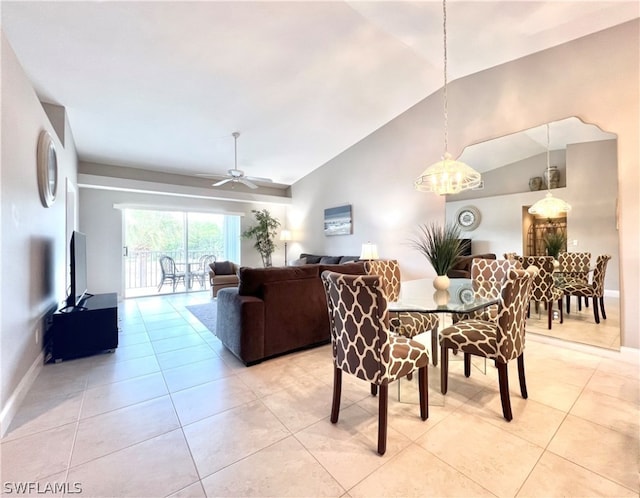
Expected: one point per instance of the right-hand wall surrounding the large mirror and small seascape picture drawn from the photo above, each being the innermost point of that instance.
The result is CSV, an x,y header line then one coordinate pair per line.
x,y
595,78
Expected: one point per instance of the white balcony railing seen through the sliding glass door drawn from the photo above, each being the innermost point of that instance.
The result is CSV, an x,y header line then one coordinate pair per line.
x,y
142,268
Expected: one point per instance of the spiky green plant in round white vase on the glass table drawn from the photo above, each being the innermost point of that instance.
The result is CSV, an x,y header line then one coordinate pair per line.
x,y
440,244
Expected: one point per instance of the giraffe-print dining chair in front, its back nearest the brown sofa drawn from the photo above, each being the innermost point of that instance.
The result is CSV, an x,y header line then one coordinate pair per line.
x,y
363,345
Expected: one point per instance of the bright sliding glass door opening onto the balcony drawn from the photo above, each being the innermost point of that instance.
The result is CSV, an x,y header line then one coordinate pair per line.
x,y
169,251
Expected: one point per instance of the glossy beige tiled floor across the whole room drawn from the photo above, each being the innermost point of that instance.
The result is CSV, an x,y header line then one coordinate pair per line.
x,y
172,413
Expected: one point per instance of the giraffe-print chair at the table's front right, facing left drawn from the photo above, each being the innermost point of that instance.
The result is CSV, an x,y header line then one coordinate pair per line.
x,y
501,340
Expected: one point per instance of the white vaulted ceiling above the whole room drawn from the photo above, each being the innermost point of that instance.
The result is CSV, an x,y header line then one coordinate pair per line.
x,y
162,85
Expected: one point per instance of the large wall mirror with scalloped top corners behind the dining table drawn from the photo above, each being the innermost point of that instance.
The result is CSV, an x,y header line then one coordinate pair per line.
x,y
512,168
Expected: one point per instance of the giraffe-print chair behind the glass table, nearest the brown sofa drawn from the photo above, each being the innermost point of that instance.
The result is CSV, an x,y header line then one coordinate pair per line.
x,y
407,324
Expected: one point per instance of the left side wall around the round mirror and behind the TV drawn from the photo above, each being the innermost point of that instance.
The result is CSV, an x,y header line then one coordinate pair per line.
x,y
33,241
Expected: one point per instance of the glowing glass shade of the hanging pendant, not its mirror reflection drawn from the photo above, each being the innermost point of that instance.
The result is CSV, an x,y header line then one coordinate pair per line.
x,y
447,176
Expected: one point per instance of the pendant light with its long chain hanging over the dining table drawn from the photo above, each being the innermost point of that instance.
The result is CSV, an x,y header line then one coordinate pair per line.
x,y
447,176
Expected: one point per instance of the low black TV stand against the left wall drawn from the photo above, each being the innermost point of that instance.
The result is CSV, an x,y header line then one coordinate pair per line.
x,y
84,330
